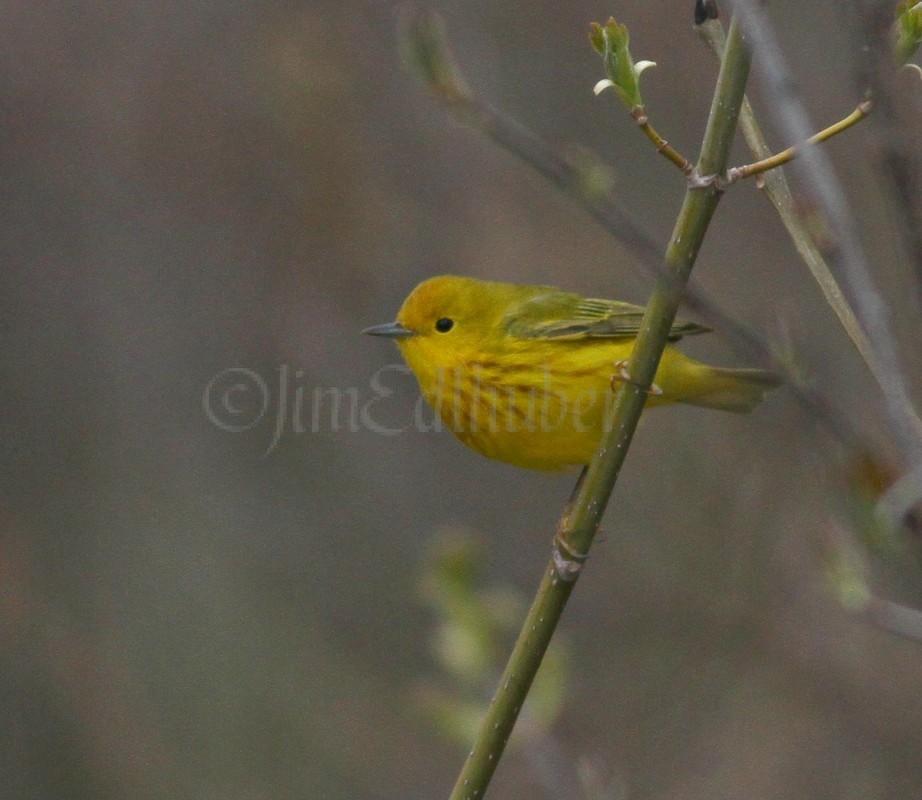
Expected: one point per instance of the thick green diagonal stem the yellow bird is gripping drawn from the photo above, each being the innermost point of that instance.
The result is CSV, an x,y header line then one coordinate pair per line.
x,y
581,520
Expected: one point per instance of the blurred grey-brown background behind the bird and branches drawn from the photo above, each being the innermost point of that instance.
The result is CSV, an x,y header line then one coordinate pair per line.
x,y
193,612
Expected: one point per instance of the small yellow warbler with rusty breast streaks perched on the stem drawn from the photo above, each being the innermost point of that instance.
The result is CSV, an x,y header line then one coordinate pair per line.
x,y
524,374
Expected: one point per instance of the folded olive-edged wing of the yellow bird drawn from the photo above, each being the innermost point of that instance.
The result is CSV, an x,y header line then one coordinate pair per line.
x,y
561,315
